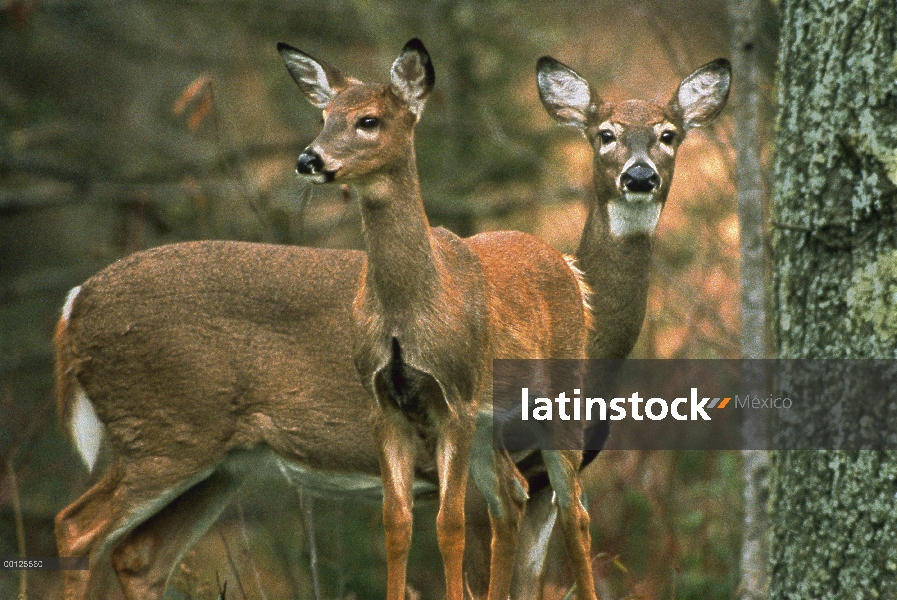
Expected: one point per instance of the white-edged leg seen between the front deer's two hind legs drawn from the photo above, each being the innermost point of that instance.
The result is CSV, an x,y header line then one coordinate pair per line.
x,y
532,549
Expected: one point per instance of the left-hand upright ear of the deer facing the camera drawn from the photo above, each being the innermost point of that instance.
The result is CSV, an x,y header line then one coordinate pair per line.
x,y
565,94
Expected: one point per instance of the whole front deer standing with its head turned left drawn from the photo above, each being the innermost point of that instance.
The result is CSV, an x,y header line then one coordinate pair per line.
x,y
433,311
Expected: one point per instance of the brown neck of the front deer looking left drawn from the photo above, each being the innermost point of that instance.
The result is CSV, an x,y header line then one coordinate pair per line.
x,y
401,267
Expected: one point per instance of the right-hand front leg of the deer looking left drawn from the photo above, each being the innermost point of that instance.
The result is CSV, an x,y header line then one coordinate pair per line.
x,y
452,461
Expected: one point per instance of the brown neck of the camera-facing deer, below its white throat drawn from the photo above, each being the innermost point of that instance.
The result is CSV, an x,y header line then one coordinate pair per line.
x,y
616,269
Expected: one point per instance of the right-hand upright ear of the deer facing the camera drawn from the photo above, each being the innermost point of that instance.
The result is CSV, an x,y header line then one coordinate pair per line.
x,y
703,94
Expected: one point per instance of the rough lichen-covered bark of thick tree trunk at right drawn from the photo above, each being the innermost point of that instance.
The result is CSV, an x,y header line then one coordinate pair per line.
x,y
833,515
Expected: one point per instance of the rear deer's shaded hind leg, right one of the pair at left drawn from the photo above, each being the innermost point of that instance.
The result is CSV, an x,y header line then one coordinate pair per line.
x,y
145,559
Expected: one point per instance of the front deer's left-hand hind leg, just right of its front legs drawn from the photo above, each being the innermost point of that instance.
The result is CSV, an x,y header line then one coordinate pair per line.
x,y
505,490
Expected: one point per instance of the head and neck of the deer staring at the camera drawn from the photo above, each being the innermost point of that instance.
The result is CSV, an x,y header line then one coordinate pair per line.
x,y
634,146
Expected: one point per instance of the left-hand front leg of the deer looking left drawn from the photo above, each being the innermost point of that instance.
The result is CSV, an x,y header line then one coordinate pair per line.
x,y
396,452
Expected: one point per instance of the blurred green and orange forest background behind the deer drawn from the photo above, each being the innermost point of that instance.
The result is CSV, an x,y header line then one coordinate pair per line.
x,y
134,123
